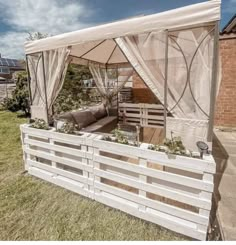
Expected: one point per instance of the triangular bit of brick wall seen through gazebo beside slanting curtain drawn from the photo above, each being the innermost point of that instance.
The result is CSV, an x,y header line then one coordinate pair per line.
x,y
141,93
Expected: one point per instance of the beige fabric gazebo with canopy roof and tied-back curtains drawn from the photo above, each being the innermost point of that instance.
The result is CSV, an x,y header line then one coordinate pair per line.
x,y
174,52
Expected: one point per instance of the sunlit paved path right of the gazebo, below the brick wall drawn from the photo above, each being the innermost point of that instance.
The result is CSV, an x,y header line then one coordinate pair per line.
x,y
224,152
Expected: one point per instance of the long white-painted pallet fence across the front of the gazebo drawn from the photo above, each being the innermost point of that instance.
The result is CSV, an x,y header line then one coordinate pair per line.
x,y
171,191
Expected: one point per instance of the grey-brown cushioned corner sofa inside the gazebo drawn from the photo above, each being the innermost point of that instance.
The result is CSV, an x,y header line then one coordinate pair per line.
x,y
93,119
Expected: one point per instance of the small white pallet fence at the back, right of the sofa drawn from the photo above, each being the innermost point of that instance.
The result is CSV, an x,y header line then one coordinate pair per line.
x,y
146,115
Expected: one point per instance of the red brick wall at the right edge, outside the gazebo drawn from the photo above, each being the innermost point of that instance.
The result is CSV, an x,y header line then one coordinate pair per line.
x,y
225,114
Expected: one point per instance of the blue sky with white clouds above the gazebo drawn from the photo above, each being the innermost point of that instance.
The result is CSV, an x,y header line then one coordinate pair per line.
x,y
19,17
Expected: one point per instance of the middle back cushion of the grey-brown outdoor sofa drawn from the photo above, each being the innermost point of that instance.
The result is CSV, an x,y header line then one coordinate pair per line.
x,y
83,118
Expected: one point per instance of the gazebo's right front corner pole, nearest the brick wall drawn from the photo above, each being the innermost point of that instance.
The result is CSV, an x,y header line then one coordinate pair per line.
x,y
213,82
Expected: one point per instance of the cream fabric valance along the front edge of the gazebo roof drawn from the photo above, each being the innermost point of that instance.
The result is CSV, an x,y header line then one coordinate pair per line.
x,y
188,16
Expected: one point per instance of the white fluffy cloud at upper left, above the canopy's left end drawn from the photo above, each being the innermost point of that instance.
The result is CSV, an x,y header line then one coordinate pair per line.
x,y
46,16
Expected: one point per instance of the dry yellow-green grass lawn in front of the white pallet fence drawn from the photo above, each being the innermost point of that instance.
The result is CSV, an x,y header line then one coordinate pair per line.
x,y
31,209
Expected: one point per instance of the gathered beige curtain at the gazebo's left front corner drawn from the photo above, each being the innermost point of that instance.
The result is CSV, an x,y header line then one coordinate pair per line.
x,y
55,66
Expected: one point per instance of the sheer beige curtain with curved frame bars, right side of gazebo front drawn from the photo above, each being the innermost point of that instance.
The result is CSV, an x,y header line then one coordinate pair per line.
x,y
189,67
